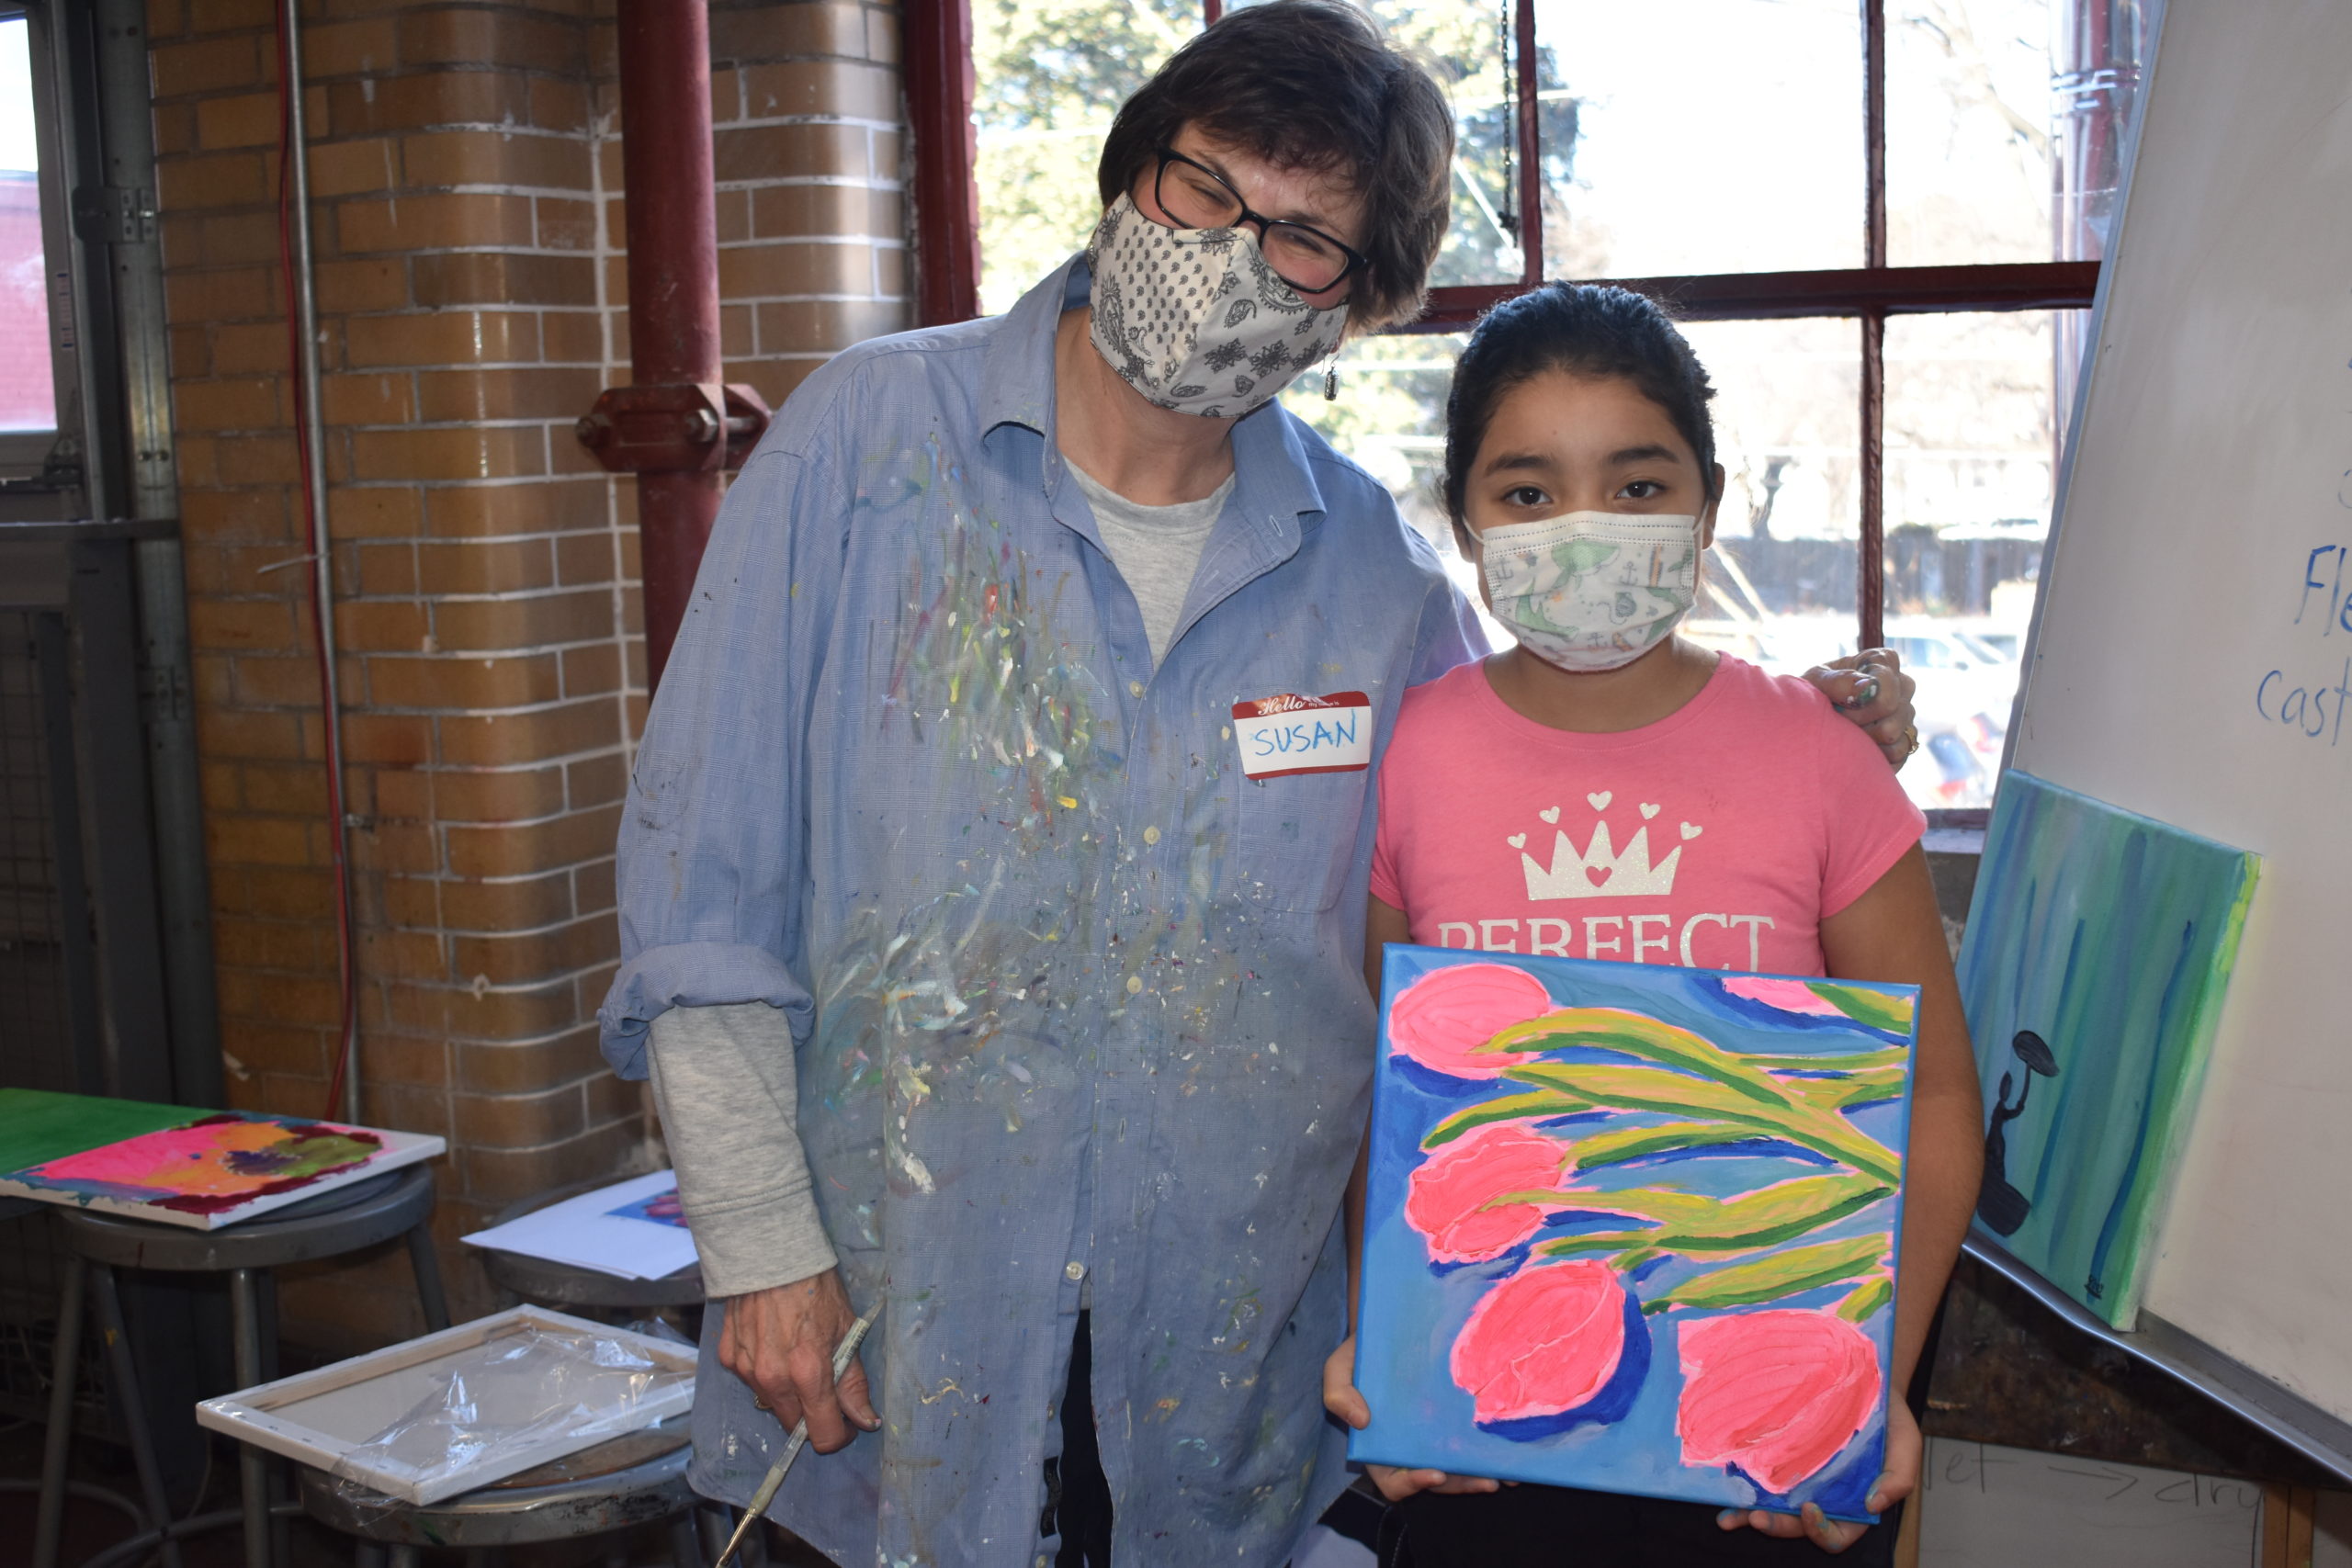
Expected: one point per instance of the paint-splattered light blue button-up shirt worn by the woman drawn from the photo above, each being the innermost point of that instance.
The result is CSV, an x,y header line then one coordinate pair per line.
x,y
1074,998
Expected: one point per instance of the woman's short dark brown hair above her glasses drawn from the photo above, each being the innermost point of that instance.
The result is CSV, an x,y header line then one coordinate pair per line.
x,y
1311,86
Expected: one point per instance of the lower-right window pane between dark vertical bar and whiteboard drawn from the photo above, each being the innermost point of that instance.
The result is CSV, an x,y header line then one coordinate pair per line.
x,y
1970,476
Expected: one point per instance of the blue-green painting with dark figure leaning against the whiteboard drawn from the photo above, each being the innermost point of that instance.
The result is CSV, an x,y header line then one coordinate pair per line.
x,y
2094,967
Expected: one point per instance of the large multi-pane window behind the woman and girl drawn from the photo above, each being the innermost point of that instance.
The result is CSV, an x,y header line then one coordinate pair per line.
x,y
1878,217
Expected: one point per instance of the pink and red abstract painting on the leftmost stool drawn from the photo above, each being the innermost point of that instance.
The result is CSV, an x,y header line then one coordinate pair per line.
x,y
208,1170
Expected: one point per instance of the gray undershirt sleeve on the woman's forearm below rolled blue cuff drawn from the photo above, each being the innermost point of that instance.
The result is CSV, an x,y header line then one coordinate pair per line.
x,y
726,1085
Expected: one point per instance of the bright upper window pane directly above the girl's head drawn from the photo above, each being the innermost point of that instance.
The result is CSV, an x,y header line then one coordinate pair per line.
x,y
1704,138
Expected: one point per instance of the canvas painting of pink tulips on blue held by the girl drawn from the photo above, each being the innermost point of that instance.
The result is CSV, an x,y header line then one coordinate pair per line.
x,y
1633,1228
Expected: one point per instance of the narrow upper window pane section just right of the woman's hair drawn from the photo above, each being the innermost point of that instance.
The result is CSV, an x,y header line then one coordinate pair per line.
x,y
1464,41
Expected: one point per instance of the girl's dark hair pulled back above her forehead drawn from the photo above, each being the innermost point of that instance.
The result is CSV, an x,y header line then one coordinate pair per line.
x,y
1586,330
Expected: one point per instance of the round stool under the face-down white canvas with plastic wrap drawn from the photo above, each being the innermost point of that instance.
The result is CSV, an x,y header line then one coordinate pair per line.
x,y
632,1480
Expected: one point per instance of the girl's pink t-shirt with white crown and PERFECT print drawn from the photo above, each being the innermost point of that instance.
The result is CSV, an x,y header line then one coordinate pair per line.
x,y
1718,838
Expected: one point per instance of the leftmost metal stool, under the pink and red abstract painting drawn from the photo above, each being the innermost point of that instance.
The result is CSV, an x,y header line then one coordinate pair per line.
x,y
98,1245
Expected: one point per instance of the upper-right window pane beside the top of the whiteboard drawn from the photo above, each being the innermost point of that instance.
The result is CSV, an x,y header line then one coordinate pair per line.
x,y
1967,130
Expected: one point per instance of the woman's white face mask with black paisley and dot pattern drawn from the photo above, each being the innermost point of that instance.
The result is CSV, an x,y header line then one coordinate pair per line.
x,y
1196,319
